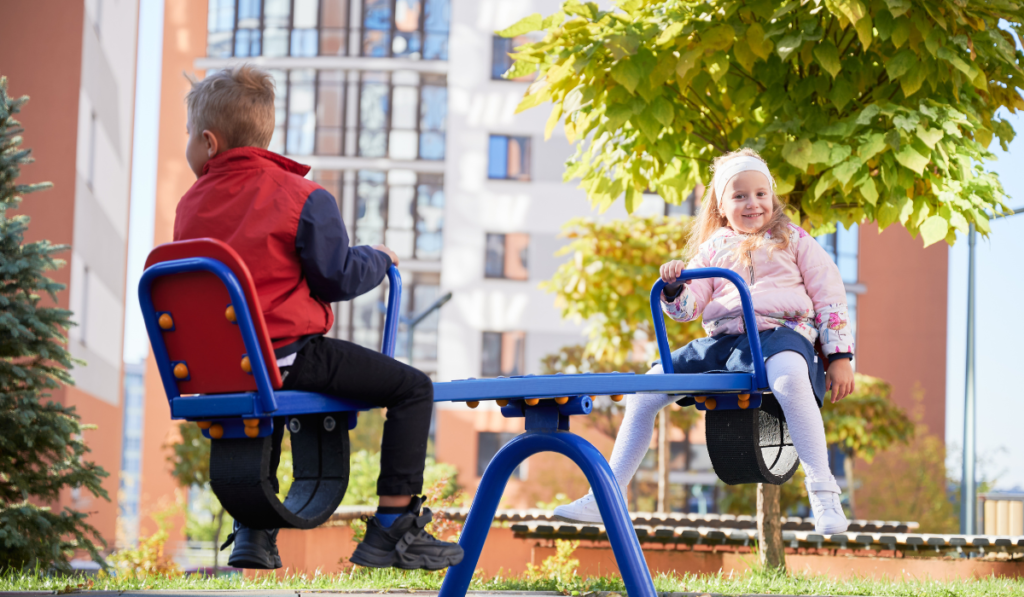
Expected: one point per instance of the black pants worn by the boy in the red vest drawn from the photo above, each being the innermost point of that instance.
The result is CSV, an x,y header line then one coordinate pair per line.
x,y
344,369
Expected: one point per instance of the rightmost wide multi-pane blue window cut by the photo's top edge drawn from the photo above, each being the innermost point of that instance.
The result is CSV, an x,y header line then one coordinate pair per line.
x,y
411,29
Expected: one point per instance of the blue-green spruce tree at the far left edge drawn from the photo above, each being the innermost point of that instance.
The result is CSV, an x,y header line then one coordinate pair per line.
x,y
42,451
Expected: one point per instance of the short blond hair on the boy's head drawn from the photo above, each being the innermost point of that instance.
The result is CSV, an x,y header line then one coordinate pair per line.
x,y
236,103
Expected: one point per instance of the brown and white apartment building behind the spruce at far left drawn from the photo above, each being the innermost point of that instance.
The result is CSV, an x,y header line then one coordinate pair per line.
x,y
76,61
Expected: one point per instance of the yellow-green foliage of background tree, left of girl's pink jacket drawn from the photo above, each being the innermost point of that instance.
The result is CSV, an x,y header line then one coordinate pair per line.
x,y
608,281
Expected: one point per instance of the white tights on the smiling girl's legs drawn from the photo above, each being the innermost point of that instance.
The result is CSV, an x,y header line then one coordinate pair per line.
x,y
789,380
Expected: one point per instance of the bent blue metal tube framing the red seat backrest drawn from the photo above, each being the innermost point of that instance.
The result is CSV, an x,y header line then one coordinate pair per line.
x,y
268,403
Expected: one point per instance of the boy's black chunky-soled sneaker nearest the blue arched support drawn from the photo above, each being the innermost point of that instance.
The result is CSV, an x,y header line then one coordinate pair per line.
x,y
406,544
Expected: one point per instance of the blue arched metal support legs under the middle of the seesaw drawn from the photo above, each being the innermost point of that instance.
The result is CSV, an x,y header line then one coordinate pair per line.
x,y
623,538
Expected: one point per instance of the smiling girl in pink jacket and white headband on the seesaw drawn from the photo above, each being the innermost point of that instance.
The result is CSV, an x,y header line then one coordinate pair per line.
x,y
798,298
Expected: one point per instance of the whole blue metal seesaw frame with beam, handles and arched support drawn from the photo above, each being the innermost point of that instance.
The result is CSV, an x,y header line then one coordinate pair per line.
x,y
547,421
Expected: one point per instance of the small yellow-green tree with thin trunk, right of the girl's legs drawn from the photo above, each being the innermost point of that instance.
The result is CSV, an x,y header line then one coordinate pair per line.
x,y
864,424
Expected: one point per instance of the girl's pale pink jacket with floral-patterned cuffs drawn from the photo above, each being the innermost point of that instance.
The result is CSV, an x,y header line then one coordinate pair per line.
x,y
799,287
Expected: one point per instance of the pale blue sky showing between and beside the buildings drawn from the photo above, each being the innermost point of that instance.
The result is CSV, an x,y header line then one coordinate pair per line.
x,y
1000,284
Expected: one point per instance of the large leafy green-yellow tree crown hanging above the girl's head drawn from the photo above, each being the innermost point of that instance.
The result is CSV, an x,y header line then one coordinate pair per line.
x,y
866,110
